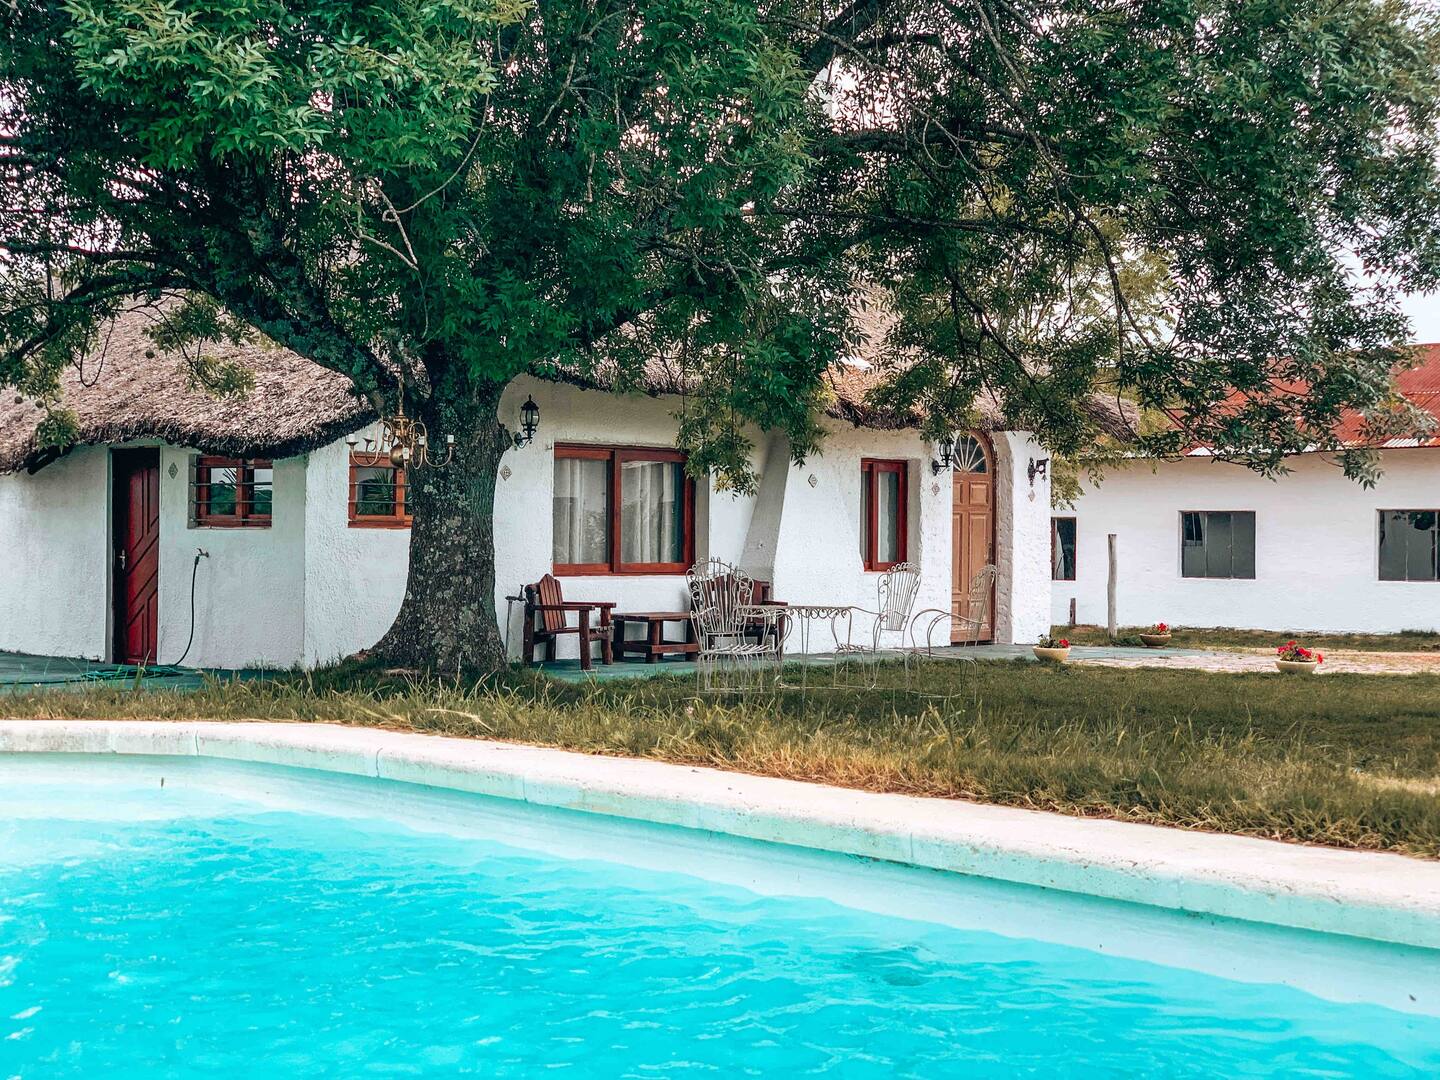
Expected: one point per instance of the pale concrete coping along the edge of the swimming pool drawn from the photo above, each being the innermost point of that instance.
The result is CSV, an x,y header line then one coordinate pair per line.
x,y
1366,895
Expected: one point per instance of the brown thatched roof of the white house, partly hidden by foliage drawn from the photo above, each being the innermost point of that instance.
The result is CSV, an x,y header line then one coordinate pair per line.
x,y
132,390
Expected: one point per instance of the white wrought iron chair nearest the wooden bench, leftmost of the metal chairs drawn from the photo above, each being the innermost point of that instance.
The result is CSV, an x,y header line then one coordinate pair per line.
x,y
739,642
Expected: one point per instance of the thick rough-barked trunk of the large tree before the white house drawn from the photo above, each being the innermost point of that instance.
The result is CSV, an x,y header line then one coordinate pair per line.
x,y
447,621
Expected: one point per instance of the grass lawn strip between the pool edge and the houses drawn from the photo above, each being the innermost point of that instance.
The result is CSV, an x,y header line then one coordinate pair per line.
x,y
1336,760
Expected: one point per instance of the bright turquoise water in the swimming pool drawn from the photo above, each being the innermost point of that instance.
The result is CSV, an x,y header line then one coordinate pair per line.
x,y
163,919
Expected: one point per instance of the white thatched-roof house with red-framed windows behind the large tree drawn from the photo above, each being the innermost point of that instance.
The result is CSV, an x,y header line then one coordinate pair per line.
x,y
305,551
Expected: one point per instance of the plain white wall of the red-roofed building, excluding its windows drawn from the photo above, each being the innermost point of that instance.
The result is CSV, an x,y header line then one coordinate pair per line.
x,y
1317,548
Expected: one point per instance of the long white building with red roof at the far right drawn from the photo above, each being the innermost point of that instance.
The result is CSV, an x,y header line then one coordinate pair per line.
x,y
1206,544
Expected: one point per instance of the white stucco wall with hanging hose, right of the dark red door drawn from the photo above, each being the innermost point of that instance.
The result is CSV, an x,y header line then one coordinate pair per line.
x,y
250,594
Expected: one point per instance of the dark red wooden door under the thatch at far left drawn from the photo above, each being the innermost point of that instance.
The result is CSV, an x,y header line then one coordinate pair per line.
x,y
136,499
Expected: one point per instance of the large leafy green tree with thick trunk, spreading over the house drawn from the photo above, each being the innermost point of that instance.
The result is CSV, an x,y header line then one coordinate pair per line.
x,y
1167,201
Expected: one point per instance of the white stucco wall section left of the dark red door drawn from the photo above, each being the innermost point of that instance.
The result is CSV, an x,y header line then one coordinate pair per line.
x,y
55,564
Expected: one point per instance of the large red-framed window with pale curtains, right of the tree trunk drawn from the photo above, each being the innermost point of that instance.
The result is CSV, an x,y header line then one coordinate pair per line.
x,y
623,510
